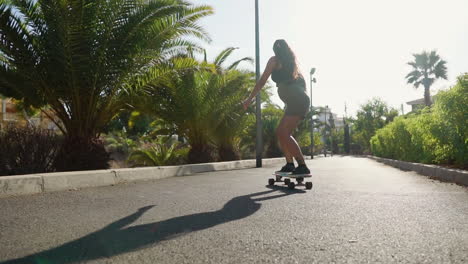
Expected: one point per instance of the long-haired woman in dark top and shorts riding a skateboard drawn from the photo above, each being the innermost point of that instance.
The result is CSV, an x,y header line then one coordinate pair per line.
x,y
291,89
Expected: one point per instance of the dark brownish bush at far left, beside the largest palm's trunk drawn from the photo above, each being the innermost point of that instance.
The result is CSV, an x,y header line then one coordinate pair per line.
x,y
26,150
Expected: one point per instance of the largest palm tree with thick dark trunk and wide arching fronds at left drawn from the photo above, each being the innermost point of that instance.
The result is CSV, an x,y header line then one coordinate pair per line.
x,y
83,58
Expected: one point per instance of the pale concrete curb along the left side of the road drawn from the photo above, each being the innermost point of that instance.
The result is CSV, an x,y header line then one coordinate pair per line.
x,y
62,181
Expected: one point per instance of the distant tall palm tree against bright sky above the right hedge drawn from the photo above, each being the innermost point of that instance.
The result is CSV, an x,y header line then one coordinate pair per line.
x,y
427,68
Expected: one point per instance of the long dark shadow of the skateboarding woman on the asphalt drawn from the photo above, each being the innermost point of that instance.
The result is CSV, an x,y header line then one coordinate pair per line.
x,y
116,238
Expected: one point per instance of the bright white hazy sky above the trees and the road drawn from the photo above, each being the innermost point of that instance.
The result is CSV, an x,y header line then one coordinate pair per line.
x,y
360,47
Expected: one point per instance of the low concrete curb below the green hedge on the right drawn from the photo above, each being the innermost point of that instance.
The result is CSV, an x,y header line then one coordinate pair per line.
x,y
436,172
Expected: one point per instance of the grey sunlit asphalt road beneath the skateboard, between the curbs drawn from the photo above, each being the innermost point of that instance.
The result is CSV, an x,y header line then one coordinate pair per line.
x,y
359,211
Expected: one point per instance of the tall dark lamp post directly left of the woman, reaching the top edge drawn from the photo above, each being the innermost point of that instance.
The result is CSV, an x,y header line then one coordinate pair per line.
x,y
258,103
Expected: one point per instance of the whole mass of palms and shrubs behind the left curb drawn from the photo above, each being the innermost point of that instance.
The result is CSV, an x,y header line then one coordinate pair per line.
x,y
127,83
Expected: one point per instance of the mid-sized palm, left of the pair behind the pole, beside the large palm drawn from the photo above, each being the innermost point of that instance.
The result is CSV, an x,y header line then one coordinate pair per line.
x,y
183,100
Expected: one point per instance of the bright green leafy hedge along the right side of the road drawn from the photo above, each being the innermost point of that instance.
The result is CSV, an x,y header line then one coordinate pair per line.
x,y
438,135
